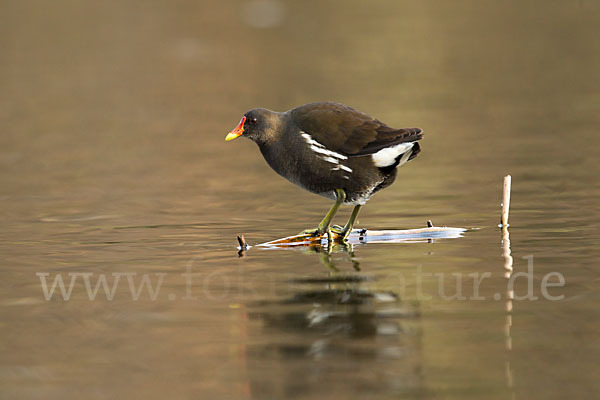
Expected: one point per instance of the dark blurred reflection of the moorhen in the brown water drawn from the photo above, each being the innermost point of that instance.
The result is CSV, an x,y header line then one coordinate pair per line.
x,y
319,337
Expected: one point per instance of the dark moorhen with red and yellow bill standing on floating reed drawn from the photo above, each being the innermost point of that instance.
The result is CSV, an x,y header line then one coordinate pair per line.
x,y
332,150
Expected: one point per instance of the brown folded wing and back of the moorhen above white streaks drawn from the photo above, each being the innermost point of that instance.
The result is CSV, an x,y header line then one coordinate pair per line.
x,y
343,129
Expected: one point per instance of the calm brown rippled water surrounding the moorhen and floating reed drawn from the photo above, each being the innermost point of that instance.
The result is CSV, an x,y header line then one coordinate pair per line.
x,y
112,160
